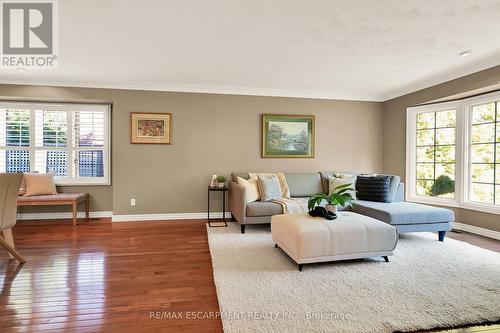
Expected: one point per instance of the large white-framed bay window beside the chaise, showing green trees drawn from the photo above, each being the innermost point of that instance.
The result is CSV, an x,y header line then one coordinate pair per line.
x,y
453,153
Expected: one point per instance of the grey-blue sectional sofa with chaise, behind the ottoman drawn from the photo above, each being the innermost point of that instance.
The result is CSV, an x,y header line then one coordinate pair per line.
x,y
405,216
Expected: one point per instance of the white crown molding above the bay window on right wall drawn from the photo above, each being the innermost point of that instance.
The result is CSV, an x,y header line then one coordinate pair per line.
x,y
485,63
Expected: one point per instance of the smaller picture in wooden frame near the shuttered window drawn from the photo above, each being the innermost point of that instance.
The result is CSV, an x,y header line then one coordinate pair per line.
x,y
152,128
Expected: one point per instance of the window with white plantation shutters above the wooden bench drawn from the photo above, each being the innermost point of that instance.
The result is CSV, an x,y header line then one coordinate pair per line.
x,y
71,140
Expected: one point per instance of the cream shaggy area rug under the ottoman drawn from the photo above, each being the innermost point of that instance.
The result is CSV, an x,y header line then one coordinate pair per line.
x,y
427,284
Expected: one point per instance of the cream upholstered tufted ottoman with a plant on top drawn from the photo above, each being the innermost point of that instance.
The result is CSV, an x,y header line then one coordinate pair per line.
x,y
309,239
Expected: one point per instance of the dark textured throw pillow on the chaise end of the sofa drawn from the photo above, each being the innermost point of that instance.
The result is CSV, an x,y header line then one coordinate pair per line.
x,y
373,188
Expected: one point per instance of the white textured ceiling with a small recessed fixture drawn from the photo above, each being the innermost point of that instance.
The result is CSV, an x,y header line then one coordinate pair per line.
x,y
362,50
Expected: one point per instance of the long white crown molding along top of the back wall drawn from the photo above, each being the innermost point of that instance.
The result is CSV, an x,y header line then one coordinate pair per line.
x,y
207,89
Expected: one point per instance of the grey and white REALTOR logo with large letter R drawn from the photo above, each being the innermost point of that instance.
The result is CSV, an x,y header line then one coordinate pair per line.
x,y
28,34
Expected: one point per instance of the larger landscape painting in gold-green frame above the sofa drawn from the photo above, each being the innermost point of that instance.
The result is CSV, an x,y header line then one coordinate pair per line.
x,y
288,136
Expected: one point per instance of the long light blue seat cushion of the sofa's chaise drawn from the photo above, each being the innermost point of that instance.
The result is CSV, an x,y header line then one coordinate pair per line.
x,y
403,212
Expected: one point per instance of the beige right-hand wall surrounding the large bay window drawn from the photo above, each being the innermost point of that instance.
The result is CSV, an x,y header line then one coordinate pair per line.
x,y
395,131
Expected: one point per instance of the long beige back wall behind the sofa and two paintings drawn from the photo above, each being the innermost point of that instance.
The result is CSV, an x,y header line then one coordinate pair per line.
x,y
213,134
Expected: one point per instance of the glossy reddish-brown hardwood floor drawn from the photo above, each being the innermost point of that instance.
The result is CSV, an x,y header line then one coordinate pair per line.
x,y
118,277
